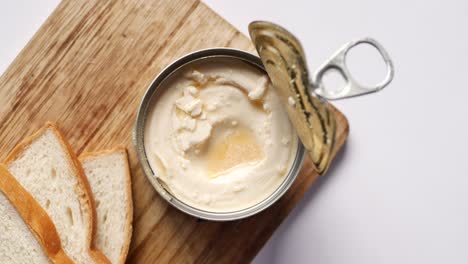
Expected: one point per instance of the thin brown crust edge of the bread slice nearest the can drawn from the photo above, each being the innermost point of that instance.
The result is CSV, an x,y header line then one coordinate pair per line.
x,y
119,150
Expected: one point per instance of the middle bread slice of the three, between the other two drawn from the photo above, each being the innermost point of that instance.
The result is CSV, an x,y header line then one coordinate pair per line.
x,y
45,165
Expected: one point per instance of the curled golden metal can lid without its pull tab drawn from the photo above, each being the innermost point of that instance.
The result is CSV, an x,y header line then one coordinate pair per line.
x,y
284,61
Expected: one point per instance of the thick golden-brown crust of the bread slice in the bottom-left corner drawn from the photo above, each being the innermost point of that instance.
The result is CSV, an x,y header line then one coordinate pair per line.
x,y
34,216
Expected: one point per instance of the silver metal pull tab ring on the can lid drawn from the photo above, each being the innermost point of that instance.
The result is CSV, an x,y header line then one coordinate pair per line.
x,y
352,87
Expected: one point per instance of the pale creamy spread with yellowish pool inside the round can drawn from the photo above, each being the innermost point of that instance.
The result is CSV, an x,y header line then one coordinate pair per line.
x,y
217,136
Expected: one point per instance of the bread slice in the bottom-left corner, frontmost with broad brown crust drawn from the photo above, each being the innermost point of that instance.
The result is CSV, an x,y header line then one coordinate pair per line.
x,y
32,240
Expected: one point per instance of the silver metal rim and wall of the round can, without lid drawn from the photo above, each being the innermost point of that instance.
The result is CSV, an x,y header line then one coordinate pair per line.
x,y
138,139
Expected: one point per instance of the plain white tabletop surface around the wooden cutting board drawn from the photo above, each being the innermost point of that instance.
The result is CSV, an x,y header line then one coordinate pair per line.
x,y
399,191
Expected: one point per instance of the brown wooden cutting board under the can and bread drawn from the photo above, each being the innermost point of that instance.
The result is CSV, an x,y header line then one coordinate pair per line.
x,y
87,69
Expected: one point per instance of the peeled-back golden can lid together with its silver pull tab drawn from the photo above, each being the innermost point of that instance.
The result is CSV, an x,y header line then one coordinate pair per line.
x,y
305,101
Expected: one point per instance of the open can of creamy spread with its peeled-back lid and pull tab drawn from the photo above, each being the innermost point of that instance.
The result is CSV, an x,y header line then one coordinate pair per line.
x,y
241,111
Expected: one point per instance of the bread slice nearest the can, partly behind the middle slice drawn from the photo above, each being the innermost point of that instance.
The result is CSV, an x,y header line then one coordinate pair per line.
x,y
108,173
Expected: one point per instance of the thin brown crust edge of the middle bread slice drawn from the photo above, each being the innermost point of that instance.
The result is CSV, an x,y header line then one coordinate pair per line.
x,y
82,181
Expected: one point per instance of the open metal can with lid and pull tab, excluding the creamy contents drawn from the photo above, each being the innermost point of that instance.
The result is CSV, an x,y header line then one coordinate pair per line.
x,y
283,60
